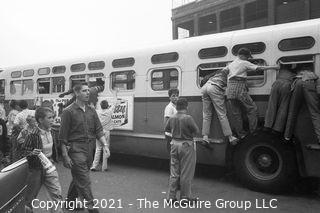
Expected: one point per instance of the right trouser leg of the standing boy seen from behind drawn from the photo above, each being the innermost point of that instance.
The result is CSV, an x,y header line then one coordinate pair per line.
x,y
188,165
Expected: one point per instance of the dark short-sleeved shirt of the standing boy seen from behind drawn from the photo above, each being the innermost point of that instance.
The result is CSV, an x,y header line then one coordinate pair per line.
x,y
181,126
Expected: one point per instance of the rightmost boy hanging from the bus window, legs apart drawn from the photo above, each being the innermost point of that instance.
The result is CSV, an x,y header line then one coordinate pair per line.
x,y
305,86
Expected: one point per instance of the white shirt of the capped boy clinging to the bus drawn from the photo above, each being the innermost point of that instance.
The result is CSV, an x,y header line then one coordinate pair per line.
x,y
239,68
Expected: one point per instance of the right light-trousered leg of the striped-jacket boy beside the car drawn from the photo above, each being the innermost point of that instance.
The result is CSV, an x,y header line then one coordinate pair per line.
x,y
52,184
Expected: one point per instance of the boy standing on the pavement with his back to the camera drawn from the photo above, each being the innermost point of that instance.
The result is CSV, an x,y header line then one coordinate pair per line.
x,y
183,152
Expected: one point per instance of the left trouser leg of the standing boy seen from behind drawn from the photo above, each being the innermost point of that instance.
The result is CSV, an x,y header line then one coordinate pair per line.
x,y
174,171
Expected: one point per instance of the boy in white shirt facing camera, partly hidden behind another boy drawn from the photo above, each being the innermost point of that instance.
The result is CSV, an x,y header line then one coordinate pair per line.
x,y
170,111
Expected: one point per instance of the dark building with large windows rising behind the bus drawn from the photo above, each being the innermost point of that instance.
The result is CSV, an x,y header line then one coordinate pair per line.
x,y
201,17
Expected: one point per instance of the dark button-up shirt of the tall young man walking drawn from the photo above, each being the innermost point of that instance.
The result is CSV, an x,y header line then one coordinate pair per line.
x,y
80,126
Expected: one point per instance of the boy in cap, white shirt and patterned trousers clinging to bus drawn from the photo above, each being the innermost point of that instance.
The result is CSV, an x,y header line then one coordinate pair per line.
x,y
237,91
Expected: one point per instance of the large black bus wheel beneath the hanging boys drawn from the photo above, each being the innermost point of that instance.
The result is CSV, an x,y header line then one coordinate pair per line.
x,y
264,163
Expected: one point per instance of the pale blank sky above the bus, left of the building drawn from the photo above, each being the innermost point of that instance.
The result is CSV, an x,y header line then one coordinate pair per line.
x,y
36,31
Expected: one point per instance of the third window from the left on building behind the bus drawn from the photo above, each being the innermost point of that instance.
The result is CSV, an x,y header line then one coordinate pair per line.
x,y
230,19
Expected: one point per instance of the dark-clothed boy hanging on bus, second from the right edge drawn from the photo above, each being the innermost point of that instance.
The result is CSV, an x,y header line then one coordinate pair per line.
x,y
277,111
